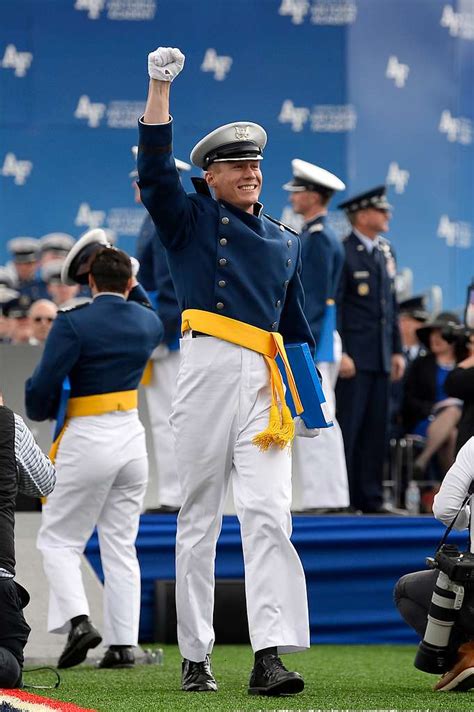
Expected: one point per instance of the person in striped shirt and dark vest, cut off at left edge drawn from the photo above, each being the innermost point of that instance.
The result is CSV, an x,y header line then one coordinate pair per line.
x,y
23,468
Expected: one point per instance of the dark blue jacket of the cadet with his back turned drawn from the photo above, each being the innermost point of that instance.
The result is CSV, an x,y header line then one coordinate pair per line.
x,y
103,347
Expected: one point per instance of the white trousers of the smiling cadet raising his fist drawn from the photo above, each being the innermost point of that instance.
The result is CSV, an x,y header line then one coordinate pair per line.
x,y
222,401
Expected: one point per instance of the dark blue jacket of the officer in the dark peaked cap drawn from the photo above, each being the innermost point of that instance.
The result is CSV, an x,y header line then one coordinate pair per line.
x,y
367,309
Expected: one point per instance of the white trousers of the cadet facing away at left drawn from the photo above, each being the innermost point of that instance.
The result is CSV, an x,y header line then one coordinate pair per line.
x,y
102,470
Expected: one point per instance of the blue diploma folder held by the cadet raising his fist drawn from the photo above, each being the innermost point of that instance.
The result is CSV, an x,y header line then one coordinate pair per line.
x,y
315,413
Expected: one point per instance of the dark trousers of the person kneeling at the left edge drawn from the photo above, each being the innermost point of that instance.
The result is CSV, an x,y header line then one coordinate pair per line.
x,y
14,632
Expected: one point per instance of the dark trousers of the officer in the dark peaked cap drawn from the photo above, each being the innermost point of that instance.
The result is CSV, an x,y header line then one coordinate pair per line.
x,y
362,412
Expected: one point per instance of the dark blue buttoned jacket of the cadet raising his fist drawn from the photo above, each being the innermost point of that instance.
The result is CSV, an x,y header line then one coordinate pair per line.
x,y
222,259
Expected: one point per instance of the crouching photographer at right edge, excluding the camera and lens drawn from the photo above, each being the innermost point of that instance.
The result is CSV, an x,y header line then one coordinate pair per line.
x,y
413,592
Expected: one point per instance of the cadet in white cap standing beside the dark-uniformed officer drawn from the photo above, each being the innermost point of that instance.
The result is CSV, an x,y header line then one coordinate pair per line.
x,y
319,466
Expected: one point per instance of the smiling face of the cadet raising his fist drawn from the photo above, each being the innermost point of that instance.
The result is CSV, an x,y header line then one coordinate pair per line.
x,y
237,182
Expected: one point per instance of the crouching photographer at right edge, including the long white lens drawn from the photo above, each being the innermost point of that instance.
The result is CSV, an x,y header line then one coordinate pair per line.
x,y
430,606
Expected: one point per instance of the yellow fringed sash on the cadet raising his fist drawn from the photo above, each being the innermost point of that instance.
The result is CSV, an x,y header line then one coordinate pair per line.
x,y
281,428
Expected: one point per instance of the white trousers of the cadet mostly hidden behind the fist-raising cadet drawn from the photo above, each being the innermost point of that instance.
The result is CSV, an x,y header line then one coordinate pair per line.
x,y
159,397
